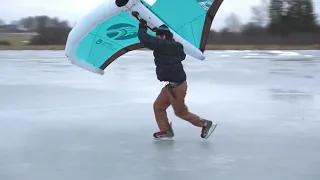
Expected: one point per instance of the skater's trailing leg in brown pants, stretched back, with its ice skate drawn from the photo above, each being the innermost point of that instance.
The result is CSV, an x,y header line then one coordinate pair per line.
x,y
181,110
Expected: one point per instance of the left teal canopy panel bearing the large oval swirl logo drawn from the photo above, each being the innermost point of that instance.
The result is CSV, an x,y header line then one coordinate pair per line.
x,y
109,40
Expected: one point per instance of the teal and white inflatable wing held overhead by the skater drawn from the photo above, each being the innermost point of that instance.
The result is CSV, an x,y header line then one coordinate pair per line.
x,y
111,30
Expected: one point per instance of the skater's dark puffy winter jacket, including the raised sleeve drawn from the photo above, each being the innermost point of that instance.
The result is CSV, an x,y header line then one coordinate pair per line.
x,y
168,55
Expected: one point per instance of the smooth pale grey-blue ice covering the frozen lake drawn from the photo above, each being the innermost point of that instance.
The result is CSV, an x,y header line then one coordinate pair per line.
x,y
61,122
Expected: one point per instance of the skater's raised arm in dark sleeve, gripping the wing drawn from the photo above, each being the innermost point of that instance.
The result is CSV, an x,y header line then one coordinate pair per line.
x,y
149,41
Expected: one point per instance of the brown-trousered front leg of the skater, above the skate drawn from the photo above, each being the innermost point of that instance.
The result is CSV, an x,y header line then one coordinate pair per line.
x,y
160,106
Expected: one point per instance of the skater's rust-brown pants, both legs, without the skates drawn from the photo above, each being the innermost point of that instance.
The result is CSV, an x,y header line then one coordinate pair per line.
x,y
165,99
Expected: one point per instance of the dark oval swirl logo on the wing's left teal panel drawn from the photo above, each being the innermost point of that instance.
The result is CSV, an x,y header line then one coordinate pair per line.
x,y
122,31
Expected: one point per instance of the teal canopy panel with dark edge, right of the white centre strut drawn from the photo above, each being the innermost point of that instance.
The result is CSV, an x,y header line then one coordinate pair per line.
x,y
191,19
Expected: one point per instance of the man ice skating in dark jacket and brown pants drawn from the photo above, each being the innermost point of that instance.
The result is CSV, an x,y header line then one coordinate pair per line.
x,y
168,57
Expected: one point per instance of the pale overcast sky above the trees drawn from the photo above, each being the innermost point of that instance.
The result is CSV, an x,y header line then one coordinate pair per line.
x,y
73,10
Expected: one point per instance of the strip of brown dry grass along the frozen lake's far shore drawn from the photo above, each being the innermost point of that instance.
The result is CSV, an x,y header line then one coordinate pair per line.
x,y
209,47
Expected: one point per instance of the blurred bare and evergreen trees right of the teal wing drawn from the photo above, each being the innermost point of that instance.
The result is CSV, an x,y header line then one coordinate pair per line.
x,y
283,22
